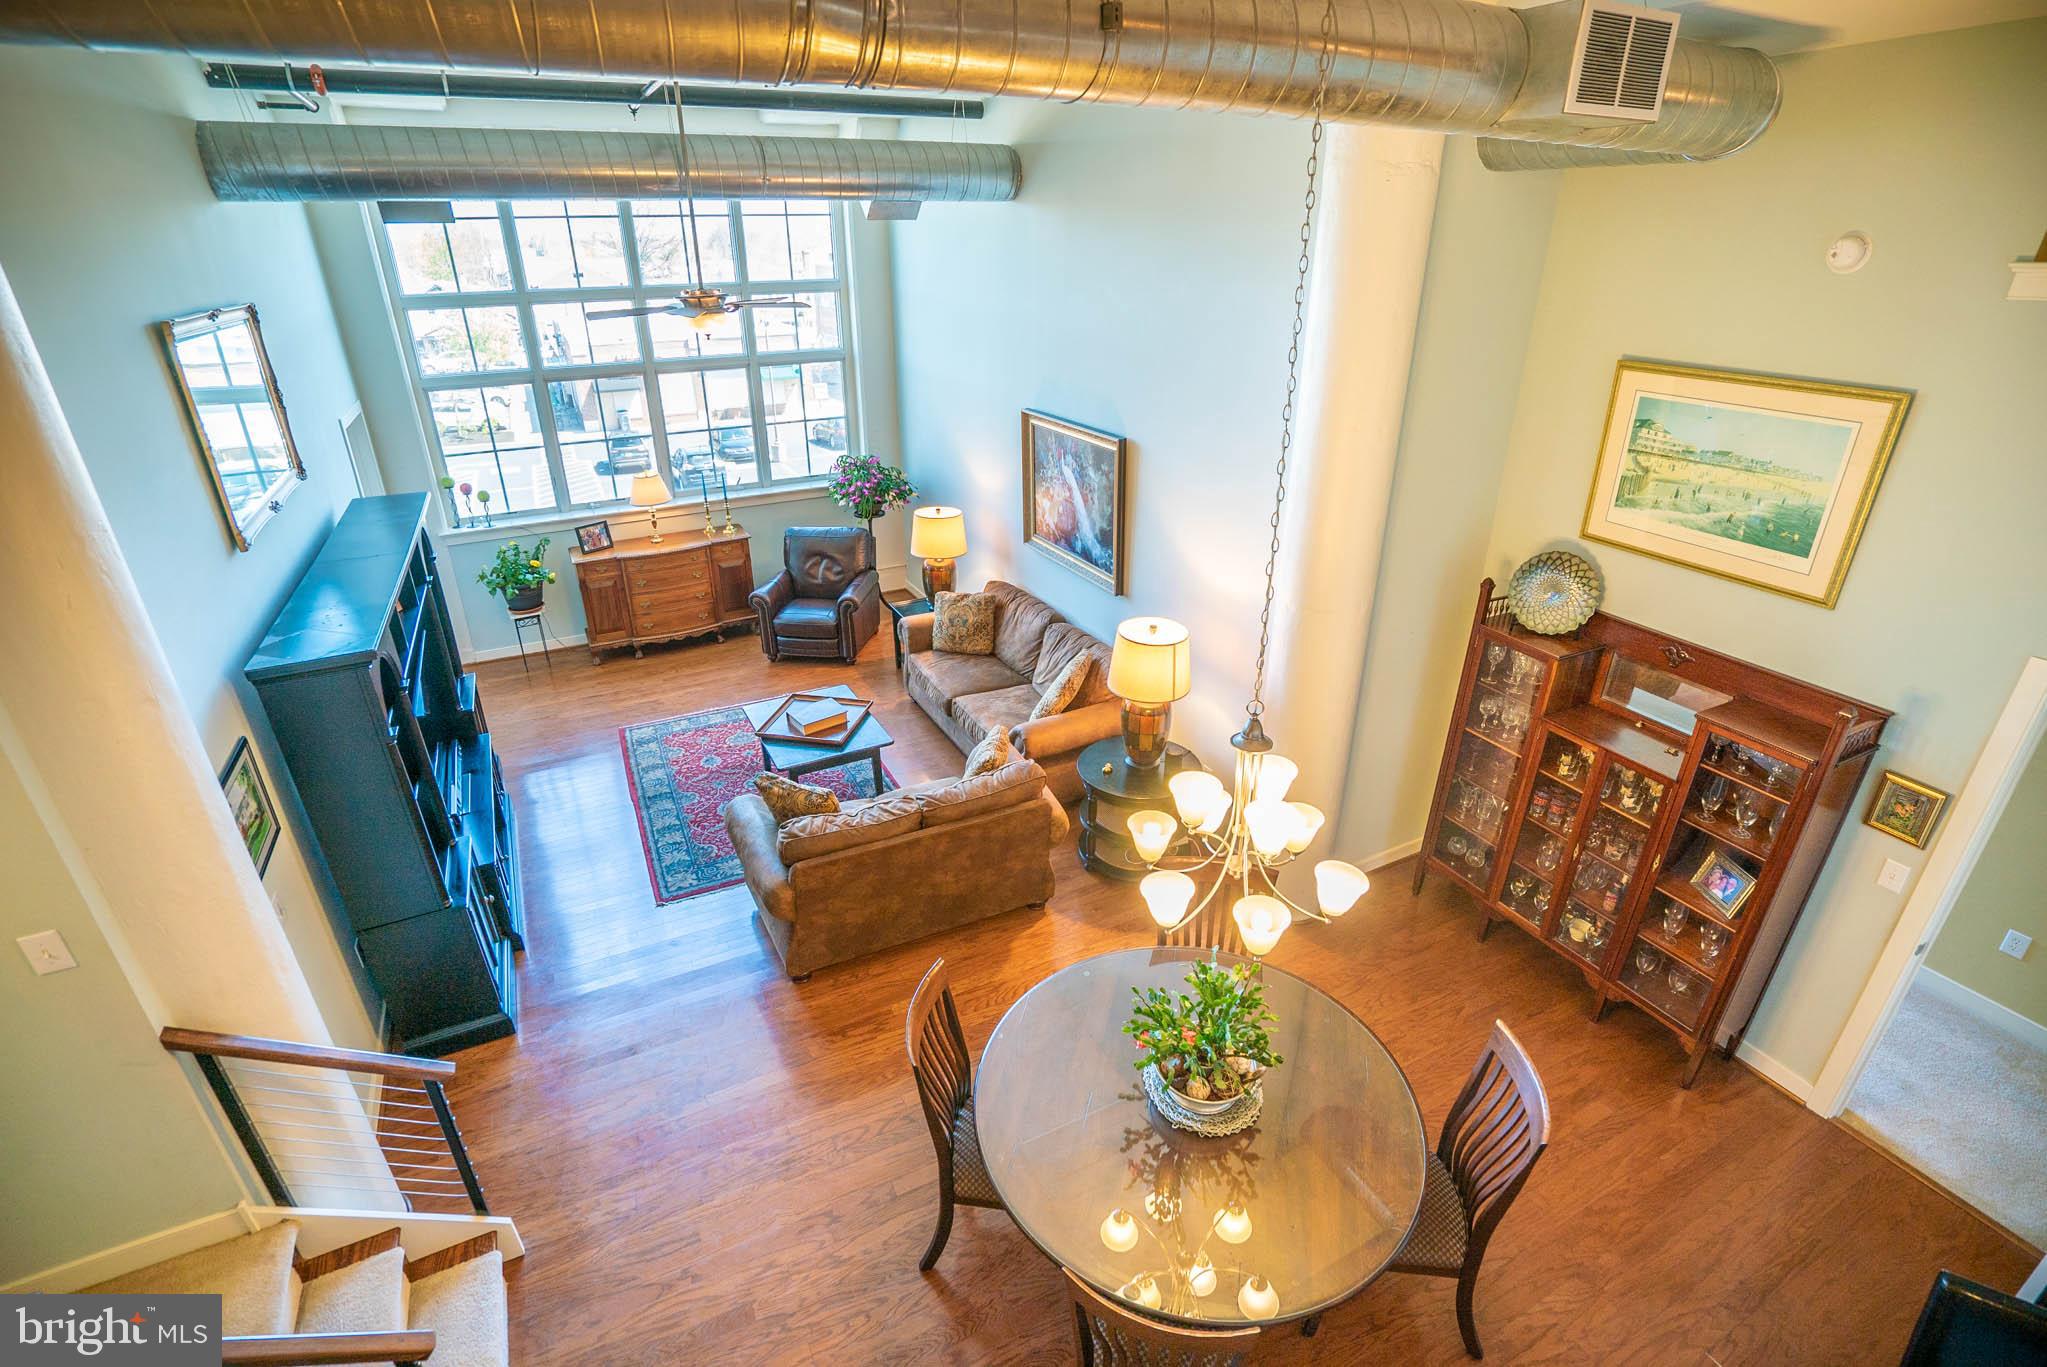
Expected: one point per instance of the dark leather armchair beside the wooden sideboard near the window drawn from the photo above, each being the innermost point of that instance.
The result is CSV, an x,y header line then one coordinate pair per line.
x,y
828,601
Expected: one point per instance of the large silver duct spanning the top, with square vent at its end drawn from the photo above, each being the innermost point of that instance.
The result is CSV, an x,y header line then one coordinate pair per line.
x,y
1456,67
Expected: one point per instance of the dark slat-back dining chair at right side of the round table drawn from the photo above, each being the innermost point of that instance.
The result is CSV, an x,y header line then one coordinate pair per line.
x,y
1491,1141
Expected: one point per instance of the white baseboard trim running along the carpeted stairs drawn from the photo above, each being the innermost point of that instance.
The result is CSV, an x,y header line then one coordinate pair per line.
x,y
318,1233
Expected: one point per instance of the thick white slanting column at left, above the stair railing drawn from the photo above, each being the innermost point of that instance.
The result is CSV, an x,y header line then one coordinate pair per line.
x,y
120,762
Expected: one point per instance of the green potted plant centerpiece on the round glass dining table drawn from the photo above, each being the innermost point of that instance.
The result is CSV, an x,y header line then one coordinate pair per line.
x,y
1209,1049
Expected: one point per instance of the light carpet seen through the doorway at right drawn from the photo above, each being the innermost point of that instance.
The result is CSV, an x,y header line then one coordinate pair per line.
x,y
1964,1104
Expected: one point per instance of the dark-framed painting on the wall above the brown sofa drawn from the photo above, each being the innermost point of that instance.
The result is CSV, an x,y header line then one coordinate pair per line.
x,y
1074,498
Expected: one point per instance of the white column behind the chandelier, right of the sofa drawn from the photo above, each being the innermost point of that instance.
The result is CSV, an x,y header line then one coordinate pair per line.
x,y
1368,259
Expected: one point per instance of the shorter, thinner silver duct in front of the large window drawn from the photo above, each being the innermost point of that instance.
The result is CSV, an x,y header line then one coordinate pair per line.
x,y
326,161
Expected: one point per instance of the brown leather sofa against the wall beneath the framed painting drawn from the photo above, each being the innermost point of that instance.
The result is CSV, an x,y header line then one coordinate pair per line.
x,y
973,695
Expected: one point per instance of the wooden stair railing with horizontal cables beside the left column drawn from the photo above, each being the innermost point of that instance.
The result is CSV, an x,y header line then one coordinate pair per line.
x,y
392,1100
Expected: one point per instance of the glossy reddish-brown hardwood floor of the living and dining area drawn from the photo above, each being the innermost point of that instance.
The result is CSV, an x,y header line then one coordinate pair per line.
x,y
711,1163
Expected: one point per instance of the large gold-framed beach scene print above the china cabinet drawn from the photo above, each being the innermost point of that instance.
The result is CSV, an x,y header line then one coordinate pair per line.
x,y
1751,478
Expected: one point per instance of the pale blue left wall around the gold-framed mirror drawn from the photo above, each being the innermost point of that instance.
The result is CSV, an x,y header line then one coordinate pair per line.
x,y
107,226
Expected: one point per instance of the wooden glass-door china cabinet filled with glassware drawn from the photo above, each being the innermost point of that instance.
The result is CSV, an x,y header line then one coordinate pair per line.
x,y
1649,809
